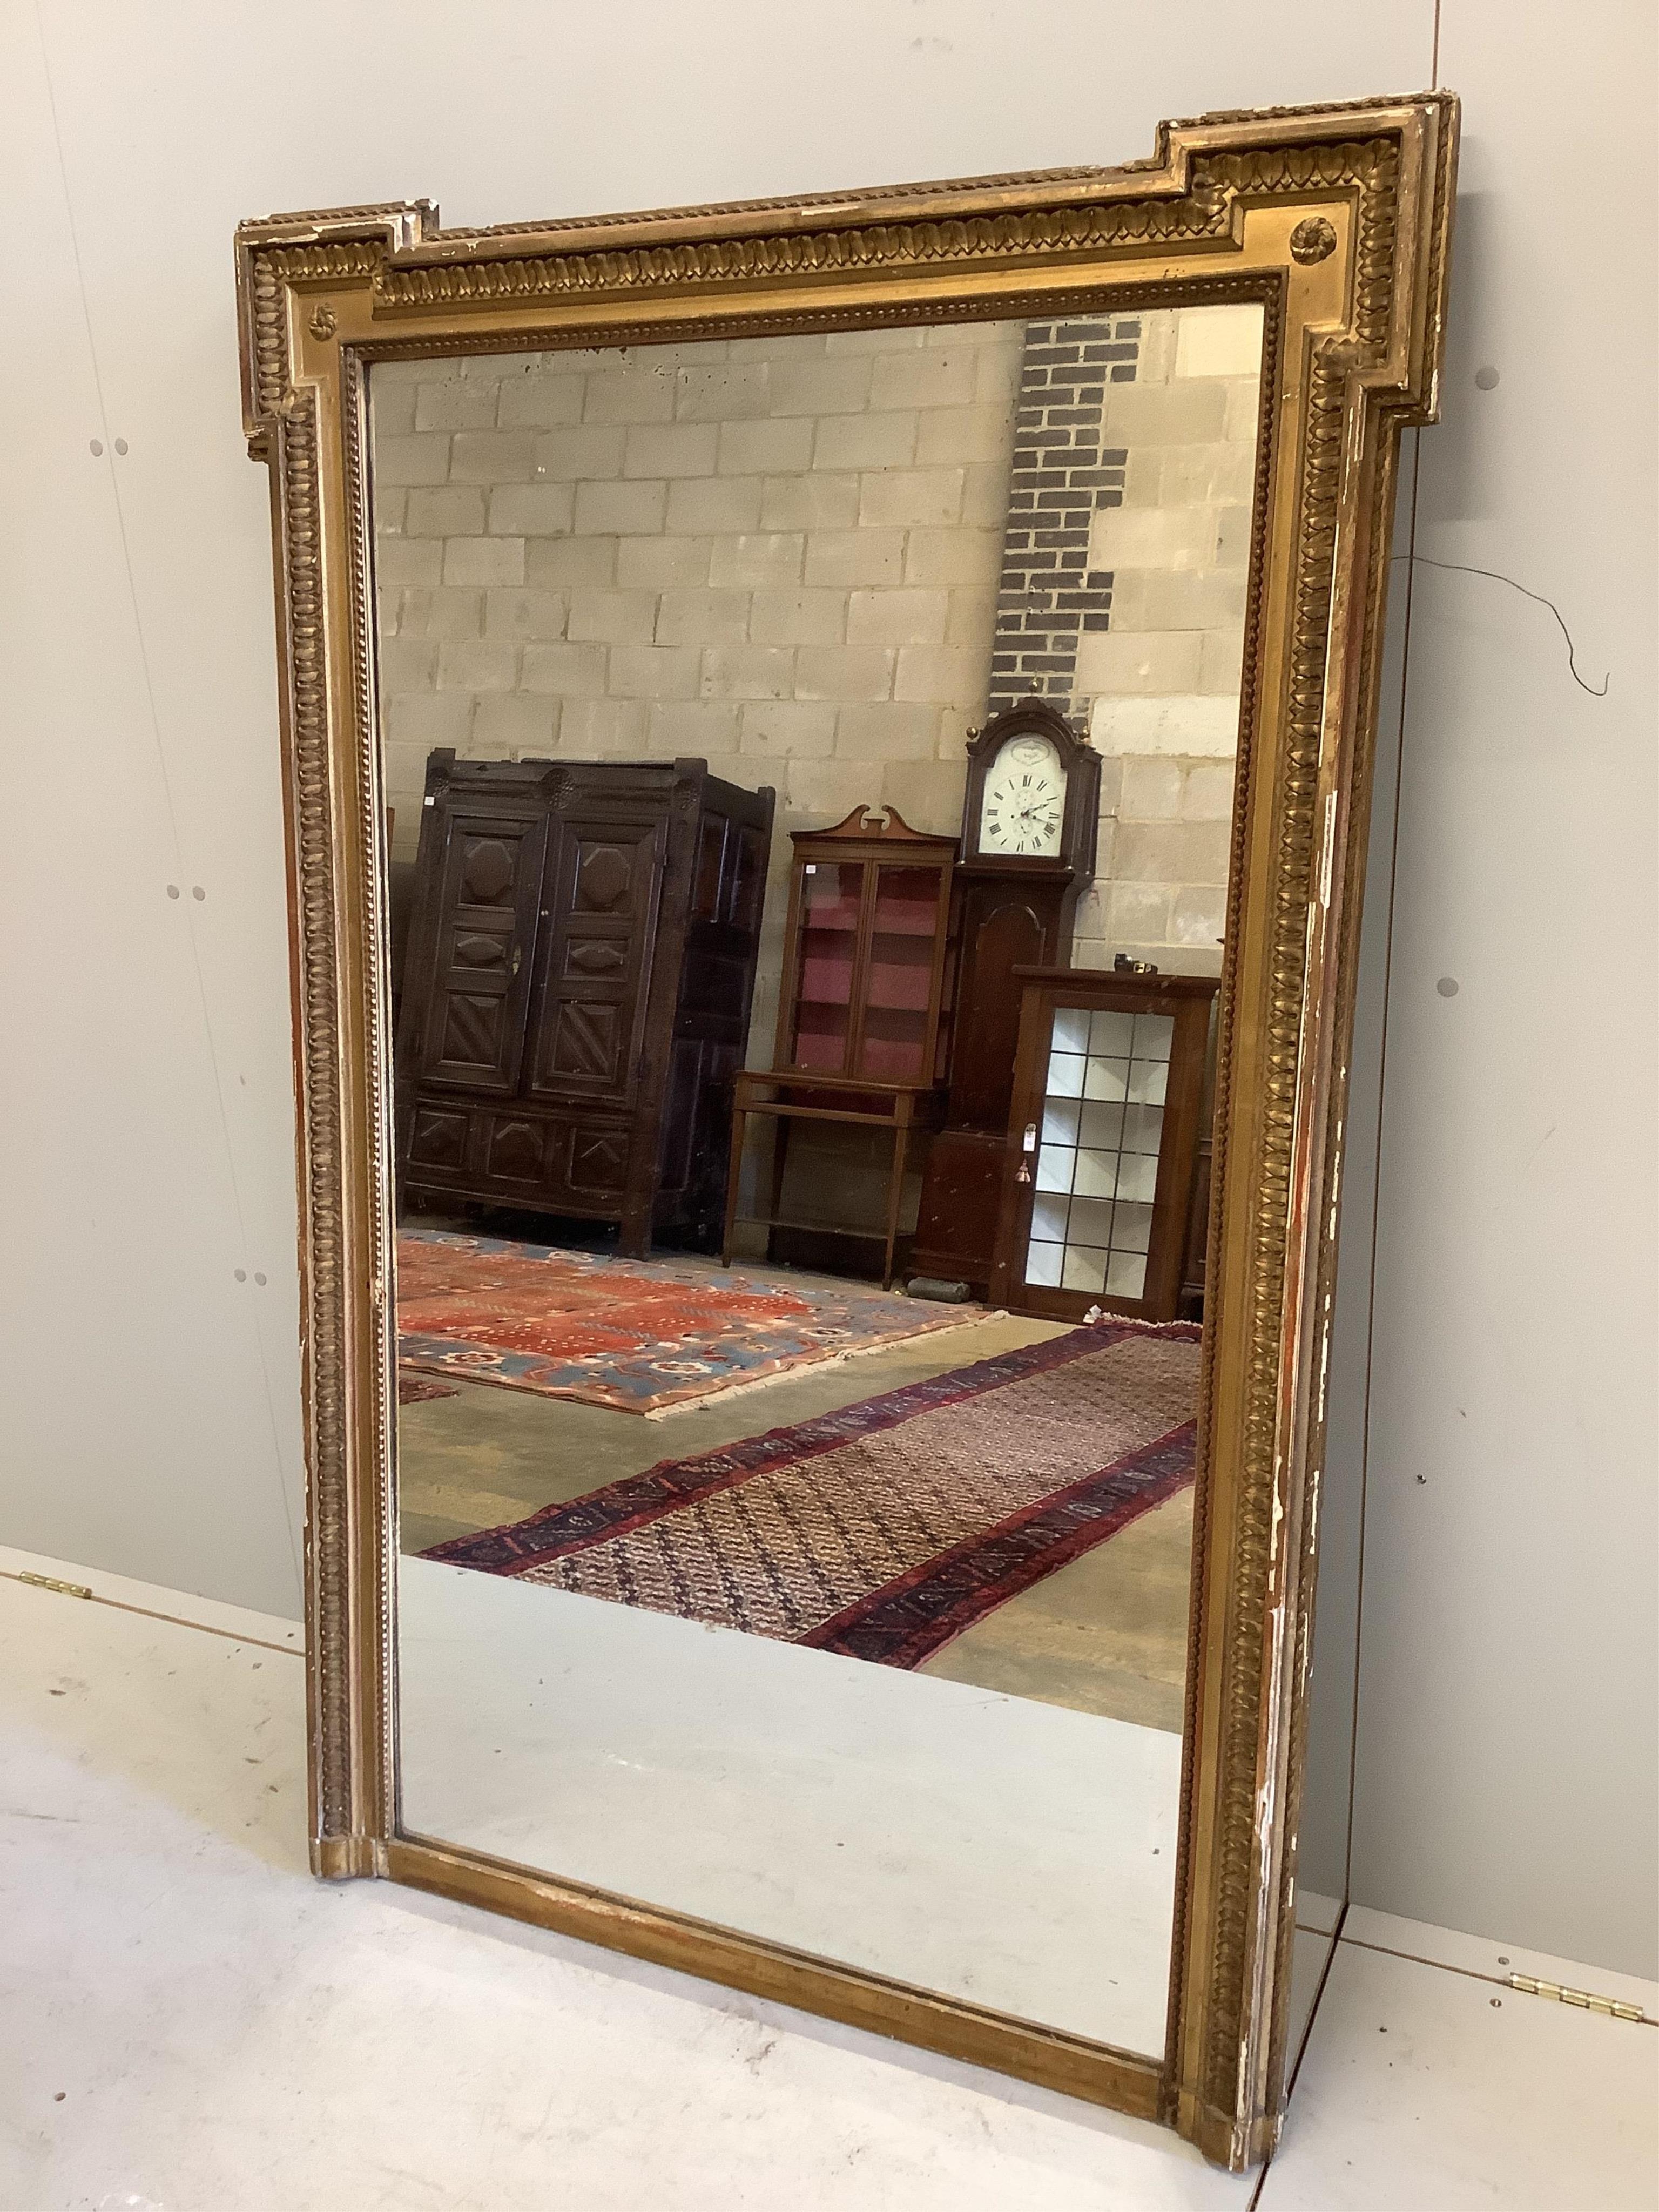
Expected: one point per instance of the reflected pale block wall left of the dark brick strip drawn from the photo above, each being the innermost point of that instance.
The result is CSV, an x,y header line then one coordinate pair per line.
x,y
780,556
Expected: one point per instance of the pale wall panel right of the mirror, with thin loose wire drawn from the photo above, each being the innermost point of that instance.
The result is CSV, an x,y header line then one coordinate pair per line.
x,y
1507,1711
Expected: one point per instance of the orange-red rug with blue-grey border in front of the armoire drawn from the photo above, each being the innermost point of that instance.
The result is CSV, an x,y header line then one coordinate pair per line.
x,y
640,1337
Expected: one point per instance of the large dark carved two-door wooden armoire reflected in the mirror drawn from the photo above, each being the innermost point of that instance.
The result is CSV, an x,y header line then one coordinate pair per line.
x,y
578,990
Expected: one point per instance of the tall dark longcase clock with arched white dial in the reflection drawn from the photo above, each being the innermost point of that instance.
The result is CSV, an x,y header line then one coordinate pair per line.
x,y
1030,824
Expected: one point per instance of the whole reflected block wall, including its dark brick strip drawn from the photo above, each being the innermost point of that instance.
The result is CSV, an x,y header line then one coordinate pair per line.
x,y
797,561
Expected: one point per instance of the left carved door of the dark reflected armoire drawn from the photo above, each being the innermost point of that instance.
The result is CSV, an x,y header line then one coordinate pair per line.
x,y
486,950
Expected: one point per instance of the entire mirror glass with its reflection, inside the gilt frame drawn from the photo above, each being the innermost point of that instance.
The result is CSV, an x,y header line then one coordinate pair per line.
x,y
808,771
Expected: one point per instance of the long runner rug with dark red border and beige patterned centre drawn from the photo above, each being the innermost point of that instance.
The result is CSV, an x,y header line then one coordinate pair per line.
x,y
888,1527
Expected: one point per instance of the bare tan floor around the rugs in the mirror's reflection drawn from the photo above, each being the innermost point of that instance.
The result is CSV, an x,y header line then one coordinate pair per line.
x,y
1105,1634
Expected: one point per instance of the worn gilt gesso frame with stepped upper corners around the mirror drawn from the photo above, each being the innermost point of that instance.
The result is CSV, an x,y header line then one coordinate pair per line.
x,y
1337,222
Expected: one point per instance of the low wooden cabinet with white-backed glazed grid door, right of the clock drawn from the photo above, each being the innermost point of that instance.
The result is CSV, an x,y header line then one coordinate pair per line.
x,y
1103,1142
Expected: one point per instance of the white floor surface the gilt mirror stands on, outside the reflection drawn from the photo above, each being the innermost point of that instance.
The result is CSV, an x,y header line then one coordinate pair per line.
x,y
194,2025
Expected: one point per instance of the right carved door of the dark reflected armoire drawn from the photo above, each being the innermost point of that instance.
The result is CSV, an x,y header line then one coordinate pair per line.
x,y
601,921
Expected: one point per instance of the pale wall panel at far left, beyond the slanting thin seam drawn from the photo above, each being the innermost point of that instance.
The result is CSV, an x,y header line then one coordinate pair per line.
x,y
136,1415
